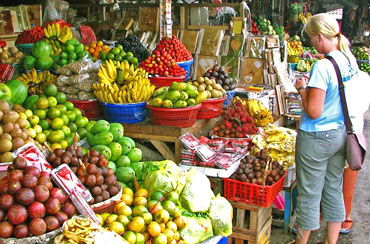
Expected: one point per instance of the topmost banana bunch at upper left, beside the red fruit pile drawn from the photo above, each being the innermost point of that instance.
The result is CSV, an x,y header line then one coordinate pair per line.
x,y
55,34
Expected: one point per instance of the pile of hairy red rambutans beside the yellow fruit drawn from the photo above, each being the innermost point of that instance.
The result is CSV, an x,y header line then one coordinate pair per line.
x,y
237,123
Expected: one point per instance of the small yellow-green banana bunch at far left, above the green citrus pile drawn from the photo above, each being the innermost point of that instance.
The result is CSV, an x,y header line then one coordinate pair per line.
x,y
35,82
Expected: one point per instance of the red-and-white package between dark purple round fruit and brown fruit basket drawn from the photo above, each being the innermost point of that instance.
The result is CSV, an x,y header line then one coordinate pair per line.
x,y
69,182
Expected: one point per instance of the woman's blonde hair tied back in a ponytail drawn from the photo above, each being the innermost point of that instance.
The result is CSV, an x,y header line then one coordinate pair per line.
x,y
329,27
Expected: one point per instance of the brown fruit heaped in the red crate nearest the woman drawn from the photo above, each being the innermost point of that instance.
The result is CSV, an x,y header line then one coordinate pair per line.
x,y
259,169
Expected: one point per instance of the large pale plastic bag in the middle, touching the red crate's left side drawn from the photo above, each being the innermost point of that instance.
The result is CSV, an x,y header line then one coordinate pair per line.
x,y
197,194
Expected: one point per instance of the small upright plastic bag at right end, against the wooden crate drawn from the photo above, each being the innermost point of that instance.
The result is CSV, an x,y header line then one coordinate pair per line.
x,y
221,214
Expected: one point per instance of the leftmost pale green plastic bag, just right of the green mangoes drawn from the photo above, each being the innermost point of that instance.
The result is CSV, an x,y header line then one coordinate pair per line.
x,y
168,178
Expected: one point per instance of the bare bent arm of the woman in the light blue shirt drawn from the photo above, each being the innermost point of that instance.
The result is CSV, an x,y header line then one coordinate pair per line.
x,y
312,98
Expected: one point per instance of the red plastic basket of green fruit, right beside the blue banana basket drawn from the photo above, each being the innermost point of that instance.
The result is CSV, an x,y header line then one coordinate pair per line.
x,y
178,117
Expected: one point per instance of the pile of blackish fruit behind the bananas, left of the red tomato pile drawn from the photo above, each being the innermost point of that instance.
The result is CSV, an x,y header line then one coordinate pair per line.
x,y
132,44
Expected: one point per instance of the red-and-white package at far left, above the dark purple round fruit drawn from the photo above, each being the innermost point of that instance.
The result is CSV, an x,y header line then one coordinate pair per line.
x,y
33,156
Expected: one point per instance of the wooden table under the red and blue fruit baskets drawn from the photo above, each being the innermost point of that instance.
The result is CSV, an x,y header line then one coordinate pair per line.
x,y
158,135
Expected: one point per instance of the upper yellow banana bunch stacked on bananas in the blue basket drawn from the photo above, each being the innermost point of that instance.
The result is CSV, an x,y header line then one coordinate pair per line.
x,y
119,72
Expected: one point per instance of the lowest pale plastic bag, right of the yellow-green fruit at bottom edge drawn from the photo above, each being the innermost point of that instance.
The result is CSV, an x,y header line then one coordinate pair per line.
x,y
197,230
